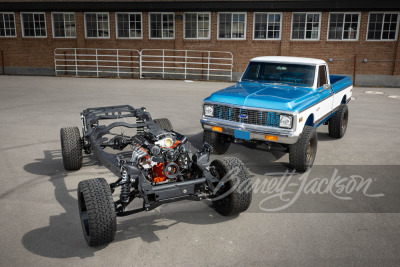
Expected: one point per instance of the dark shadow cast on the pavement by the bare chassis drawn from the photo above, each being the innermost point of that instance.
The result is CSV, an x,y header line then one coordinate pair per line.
x,y
63,238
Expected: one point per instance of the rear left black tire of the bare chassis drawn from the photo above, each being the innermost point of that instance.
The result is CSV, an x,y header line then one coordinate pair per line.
x,y
71,148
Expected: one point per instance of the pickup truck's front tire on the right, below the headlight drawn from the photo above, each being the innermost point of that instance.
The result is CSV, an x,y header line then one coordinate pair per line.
x,y
302,154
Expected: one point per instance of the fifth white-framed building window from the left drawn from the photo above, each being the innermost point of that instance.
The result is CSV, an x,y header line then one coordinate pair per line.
x,y
129,25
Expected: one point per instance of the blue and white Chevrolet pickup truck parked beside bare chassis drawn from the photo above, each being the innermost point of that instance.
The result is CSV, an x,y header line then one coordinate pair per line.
x,y
279,100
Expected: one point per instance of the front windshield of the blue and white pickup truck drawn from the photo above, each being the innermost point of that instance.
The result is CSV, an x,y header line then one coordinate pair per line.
x,y
293,74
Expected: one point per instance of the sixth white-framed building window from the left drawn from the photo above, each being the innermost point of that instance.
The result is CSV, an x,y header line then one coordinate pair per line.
x,y
162,25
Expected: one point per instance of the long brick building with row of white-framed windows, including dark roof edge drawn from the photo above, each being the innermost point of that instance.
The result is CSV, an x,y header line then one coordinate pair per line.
x,y
358,37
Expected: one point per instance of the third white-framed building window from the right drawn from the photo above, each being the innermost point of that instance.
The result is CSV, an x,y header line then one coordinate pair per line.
x,y
305,26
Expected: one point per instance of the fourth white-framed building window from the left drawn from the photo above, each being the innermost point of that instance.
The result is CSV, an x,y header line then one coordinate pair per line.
x,y
97,25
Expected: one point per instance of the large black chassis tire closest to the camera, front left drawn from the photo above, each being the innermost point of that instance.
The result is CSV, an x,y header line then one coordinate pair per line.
x,y
97,211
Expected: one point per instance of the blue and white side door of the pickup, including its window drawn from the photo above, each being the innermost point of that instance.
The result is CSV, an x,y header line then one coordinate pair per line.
x,y
326,94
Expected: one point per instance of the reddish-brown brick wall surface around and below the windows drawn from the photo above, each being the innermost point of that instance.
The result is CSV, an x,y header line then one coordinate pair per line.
x,y
38,52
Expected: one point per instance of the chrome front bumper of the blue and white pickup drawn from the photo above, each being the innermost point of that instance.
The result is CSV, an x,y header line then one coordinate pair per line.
x,y
285,136
